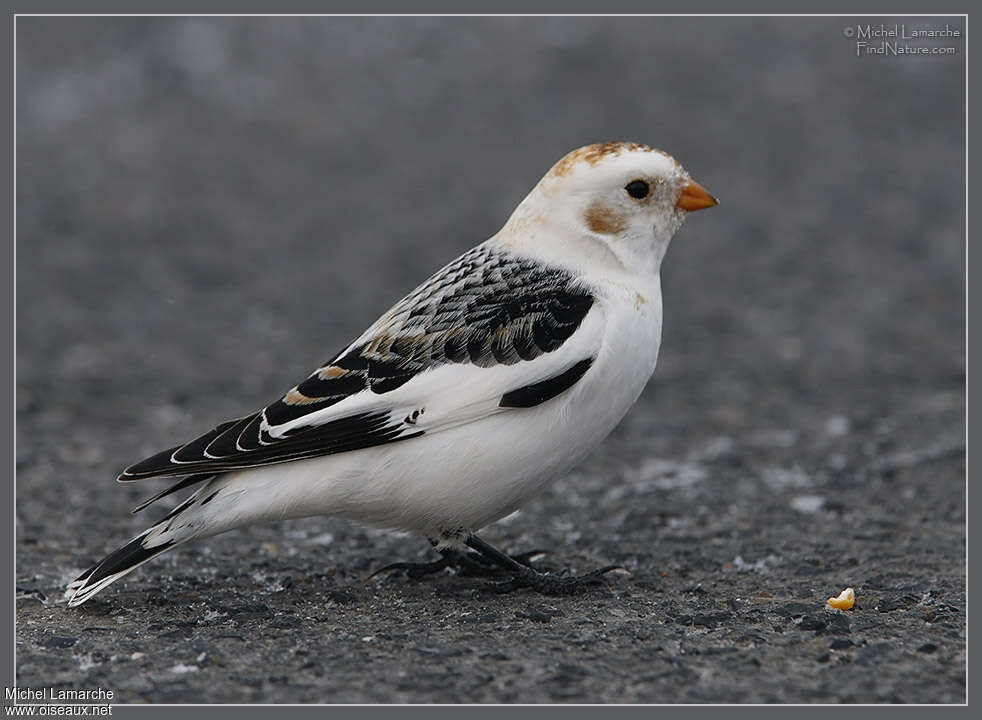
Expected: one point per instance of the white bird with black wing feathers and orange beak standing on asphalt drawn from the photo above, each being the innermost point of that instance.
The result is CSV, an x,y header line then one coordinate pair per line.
x,y
494,377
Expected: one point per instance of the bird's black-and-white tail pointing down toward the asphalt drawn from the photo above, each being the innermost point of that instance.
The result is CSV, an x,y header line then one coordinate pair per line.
x,y
165,535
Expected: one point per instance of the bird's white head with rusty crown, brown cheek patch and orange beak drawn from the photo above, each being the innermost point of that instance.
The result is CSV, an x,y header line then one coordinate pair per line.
x,y
624,200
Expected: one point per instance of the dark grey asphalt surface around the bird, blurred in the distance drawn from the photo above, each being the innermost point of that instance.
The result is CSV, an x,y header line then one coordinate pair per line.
x,y
208,208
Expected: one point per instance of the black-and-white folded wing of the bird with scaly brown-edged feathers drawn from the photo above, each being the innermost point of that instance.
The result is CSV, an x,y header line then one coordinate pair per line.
x,y
478,337
